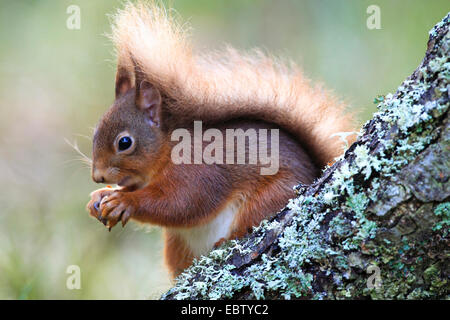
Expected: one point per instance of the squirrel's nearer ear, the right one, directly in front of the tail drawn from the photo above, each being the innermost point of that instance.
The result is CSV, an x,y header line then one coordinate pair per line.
x,y
148,99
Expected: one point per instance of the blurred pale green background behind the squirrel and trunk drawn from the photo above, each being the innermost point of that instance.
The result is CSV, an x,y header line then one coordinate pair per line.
x,y
55,83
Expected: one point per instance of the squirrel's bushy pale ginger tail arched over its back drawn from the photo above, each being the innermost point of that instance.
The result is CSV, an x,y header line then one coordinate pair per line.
x,y
228,84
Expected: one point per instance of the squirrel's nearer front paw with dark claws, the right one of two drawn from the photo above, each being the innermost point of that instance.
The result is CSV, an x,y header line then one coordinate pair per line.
x,y
119,206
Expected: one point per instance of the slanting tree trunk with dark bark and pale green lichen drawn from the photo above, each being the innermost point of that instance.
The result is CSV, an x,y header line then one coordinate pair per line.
x,y
375,225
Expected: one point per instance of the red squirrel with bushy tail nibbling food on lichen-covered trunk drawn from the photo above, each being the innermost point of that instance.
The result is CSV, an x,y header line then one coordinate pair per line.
x,y
162,86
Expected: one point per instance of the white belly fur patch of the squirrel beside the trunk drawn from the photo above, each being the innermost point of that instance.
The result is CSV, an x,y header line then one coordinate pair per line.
x,y
201,239
